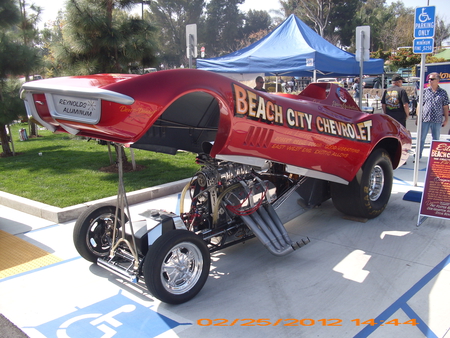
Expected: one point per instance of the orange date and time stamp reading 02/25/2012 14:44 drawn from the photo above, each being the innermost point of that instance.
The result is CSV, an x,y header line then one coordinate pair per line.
x,y
298,322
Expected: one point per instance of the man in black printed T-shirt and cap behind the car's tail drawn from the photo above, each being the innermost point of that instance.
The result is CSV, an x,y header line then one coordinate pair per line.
x,y
395,102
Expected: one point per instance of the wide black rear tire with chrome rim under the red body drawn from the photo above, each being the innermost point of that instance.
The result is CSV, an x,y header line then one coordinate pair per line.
x,y
368,193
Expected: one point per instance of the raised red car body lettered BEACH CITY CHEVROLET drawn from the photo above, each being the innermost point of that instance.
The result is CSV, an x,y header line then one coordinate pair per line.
x,y
319,133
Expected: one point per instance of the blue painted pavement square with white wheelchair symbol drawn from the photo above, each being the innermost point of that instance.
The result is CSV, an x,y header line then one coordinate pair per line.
x,y
117,317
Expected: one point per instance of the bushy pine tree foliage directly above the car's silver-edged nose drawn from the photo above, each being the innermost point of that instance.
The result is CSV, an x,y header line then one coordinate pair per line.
x,y
99,37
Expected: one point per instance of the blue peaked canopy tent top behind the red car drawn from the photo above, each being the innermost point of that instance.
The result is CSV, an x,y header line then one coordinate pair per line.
x,y
292,49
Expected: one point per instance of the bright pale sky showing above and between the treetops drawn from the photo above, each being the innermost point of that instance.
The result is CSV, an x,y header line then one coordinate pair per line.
x,y
51,7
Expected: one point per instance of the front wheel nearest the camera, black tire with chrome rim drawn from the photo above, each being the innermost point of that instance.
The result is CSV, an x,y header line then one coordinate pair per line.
x,y
176,266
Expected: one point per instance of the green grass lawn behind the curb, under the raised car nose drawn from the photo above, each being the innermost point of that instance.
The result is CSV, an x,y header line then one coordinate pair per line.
x,y
68,171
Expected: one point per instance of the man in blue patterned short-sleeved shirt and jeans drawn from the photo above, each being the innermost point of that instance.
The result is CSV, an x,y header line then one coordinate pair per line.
x,y
434,110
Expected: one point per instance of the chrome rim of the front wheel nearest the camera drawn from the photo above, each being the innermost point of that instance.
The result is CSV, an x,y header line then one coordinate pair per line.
x,y
181,268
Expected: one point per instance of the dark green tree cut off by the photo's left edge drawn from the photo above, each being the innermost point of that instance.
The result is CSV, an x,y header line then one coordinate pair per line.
x,y
15,59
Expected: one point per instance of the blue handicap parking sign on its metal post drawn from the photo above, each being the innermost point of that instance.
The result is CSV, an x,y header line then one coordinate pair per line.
x,y
424,24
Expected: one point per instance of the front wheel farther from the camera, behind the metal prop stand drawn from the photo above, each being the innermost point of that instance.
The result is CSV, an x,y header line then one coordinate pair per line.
x,y
93,231
